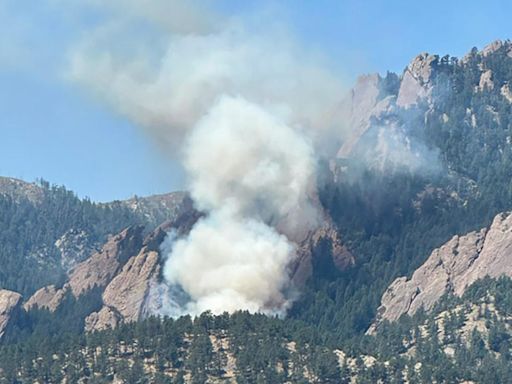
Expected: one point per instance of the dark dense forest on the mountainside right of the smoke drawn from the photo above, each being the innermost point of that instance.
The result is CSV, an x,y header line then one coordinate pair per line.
x,y
393,220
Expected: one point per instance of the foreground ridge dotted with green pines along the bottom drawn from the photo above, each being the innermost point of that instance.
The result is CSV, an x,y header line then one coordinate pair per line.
x,y
463,338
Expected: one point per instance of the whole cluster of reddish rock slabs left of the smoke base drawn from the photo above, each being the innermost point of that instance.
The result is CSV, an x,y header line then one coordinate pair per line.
x,y
127,268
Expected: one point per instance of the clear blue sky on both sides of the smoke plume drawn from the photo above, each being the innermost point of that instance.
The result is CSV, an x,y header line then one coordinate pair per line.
x,y
50,128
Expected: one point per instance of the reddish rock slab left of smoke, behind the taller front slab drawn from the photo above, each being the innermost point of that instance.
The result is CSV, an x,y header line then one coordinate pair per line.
x,y
101,267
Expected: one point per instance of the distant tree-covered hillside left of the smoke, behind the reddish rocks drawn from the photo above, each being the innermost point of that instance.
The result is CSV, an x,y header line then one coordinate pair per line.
x,y
46,229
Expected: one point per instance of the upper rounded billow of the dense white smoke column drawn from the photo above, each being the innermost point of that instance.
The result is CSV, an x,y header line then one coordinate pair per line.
x,y
240,155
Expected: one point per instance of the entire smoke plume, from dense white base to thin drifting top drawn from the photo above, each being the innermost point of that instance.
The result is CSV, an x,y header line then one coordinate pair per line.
x,y
245,112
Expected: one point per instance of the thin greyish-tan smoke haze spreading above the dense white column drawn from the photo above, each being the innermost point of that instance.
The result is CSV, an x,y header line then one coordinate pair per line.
x,y
167,83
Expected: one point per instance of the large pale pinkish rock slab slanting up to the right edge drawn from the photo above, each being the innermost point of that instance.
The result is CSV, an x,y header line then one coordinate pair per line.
x,y
452,267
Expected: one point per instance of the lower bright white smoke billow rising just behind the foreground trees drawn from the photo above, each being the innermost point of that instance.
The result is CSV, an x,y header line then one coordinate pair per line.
x,y
228,263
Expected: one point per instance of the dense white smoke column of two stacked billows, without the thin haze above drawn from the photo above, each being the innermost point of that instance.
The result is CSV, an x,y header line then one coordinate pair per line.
x,y
248,170
